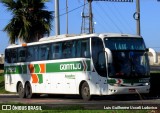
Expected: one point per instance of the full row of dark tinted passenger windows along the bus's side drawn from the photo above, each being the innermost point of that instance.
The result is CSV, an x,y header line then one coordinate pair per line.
x,y
59,50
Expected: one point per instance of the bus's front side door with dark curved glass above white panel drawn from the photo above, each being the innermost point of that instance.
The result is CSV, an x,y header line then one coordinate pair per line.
x,y
99,65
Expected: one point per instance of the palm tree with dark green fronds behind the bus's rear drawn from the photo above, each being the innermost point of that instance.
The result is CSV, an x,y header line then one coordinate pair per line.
x,y
30,20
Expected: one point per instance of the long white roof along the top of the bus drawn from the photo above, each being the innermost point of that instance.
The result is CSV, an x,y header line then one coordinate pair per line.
x,y
73,36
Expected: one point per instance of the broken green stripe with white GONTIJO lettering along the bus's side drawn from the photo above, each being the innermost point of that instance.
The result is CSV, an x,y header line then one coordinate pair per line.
x,y
74,66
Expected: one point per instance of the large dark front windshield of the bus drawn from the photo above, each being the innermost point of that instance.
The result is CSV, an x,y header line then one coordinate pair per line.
x,y
130,59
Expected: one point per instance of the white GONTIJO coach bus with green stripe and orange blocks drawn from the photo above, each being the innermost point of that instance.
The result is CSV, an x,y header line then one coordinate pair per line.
x,y
86,65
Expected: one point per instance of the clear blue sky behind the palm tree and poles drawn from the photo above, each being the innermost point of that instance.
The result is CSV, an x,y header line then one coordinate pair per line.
x,y
108,17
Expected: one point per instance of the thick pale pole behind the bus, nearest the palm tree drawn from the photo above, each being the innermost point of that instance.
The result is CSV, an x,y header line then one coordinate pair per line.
x,y
57,23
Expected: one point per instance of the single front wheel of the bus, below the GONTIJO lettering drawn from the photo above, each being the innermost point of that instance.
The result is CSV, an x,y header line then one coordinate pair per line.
x,y
85,91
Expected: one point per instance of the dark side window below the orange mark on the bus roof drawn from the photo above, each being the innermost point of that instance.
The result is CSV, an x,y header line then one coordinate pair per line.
x,y
21,54
